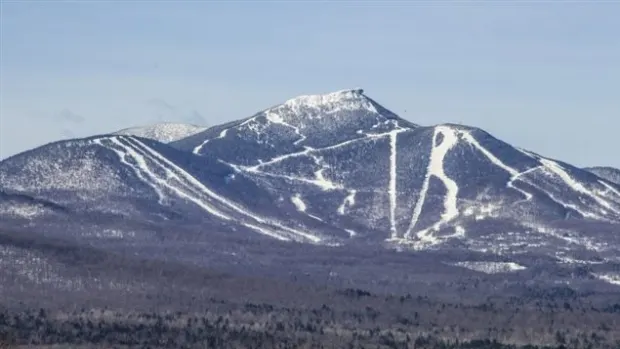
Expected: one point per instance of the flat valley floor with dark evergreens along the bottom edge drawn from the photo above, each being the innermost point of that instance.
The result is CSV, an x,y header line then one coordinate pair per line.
x,y
419,323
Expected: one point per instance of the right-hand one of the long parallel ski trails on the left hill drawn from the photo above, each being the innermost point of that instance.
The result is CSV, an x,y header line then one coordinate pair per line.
x,y
209,193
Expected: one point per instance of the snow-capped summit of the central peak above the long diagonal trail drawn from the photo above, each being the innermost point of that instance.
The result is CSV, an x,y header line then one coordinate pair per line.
x,y
310,121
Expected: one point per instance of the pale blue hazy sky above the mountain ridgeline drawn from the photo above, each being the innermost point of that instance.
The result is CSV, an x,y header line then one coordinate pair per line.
x,y
541,75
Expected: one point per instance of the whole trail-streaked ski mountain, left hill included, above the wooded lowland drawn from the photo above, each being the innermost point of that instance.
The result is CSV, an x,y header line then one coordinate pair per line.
x,y
336,169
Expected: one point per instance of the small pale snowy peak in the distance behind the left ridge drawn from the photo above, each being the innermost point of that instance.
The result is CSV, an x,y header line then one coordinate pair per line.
x,y
162,132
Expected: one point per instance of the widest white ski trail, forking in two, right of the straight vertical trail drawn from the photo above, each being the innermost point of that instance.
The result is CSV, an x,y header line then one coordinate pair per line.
x,y
435,168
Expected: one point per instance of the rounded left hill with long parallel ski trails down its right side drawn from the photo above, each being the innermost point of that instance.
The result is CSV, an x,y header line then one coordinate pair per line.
x,y
142,179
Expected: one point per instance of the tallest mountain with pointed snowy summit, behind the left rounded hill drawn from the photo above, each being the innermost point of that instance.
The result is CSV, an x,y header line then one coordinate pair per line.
x,y
344,159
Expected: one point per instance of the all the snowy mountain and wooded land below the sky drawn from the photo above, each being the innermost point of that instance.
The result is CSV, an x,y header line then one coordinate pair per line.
x,y
325,220
